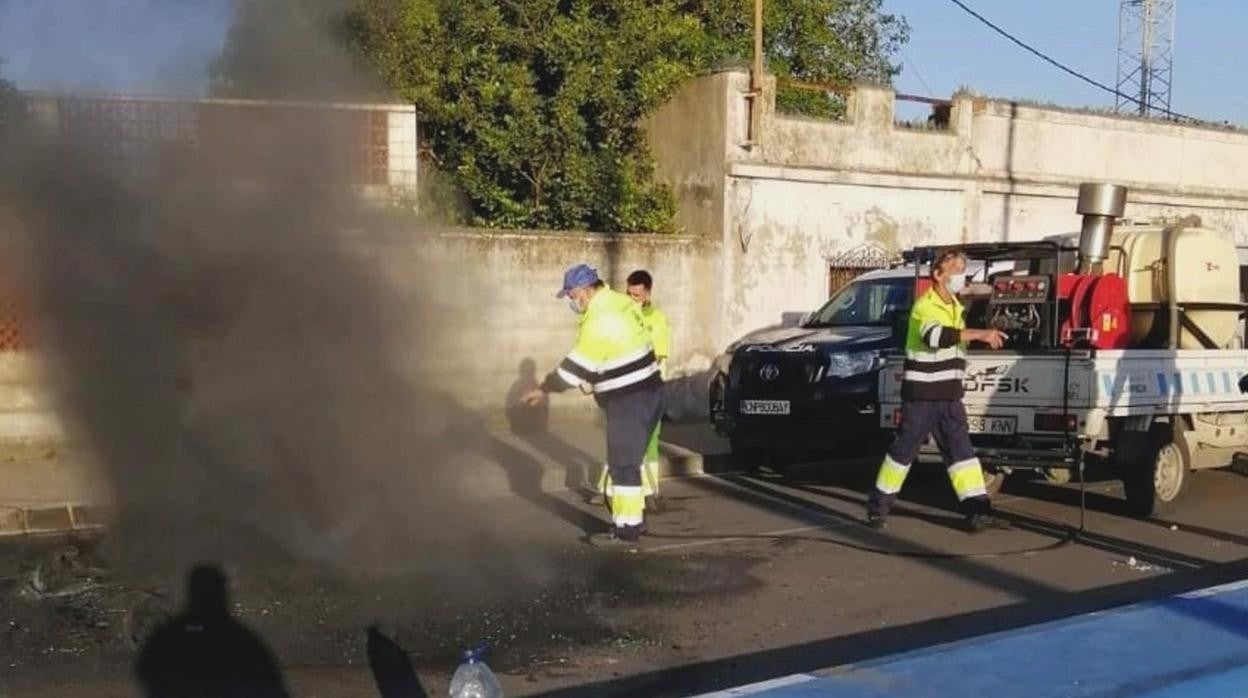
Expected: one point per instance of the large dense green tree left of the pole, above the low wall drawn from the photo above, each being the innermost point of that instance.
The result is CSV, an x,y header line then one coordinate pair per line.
x,y
536,106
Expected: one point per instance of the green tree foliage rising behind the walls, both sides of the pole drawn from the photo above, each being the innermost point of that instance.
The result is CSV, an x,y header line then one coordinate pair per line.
x,y
535,108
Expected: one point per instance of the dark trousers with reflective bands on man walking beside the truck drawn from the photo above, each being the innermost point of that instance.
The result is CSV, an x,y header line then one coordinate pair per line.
x,y
947,421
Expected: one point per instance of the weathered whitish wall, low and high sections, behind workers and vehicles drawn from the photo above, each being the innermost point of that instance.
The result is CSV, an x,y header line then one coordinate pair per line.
x,y
761,223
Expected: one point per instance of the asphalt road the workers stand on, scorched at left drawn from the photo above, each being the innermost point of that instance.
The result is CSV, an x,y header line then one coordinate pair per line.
x,y
743,579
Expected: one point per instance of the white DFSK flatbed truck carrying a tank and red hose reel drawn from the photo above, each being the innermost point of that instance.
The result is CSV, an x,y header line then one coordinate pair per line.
x,y
1125,345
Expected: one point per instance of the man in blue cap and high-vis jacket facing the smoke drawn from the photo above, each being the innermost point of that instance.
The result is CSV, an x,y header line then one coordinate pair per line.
x,y
615,361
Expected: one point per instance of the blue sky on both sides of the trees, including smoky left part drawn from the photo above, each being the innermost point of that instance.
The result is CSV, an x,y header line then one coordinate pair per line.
x,y
165,46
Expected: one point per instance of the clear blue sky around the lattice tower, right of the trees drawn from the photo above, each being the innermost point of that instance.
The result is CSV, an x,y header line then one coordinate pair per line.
x,y
949,48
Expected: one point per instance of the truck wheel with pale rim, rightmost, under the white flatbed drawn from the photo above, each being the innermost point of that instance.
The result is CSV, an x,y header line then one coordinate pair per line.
x,y
1155,471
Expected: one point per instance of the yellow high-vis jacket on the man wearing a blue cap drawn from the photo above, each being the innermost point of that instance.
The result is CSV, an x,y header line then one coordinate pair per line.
x,y
613,355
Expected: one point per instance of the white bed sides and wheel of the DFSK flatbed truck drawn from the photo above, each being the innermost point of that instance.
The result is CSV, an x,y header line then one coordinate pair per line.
x,y
1156,415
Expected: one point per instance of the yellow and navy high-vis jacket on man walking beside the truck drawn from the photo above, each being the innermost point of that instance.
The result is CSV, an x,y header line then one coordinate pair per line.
x,y
935,351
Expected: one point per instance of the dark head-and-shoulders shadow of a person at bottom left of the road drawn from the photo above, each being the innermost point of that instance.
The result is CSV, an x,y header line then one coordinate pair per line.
x,y
205,652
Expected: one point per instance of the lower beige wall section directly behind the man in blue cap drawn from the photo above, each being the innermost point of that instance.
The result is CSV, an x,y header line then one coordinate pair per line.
x,y
492,304
